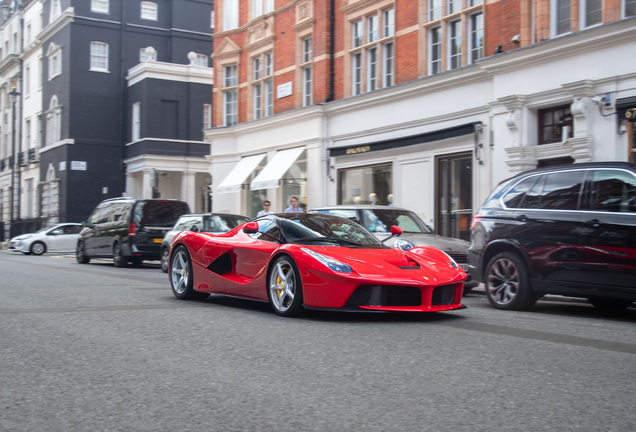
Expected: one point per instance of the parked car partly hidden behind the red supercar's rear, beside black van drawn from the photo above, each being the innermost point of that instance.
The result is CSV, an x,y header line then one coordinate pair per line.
x,y
214,223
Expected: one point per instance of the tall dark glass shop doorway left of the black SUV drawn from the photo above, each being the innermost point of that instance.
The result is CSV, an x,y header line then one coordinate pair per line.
x,y
454,195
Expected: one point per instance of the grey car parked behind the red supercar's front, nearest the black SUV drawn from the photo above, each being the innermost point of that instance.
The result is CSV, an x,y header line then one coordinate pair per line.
x,y
379,219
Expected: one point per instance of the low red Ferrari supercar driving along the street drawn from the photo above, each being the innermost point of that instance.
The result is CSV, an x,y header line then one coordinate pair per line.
x,y
299,261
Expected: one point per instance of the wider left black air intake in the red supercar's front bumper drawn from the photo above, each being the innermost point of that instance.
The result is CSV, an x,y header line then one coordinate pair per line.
x,y
386,295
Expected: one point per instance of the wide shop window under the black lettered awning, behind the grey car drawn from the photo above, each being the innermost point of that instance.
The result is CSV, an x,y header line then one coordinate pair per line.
x,y
366,185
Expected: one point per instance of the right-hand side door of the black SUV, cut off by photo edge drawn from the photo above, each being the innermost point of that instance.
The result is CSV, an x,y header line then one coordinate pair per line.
x,y
610,230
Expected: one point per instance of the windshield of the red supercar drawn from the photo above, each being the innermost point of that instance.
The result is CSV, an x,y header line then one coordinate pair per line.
x,y
326,229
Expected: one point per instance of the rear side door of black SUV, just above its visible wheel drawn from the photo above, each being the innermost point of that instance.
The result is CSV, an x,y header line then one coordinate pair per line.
x,y
548,227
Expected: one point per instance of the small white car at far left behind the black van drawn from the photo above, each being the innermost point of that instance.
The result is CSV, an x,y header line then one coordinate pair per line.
x,y
58,238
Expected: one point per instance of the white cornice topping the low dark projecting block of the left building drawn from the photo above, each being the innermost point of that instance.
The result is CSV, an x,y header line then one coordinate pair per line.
x,y
170,72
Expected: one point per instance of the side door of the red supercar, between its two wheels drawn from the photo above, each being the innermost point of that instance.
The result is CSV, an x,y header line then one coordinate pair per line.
x,y
250,255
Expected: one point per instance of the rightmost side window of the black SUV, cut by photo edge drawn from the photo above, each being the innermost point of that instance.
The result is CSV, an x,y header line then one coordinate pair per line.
x,y
612,191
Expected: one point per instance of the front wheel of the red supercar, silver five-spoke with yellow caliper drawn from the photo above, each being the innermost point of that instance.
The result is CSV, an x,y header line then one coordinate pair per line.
x,y
284,288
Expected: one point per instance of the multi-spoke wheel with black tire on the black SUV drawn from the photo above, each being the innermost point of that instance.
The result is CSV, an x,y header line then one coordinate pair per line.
x,y
507,283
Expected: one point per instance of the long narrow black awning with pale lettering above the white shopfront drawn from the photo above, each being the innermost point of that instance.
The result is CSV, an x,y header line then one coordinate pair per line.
x,y
465,129
